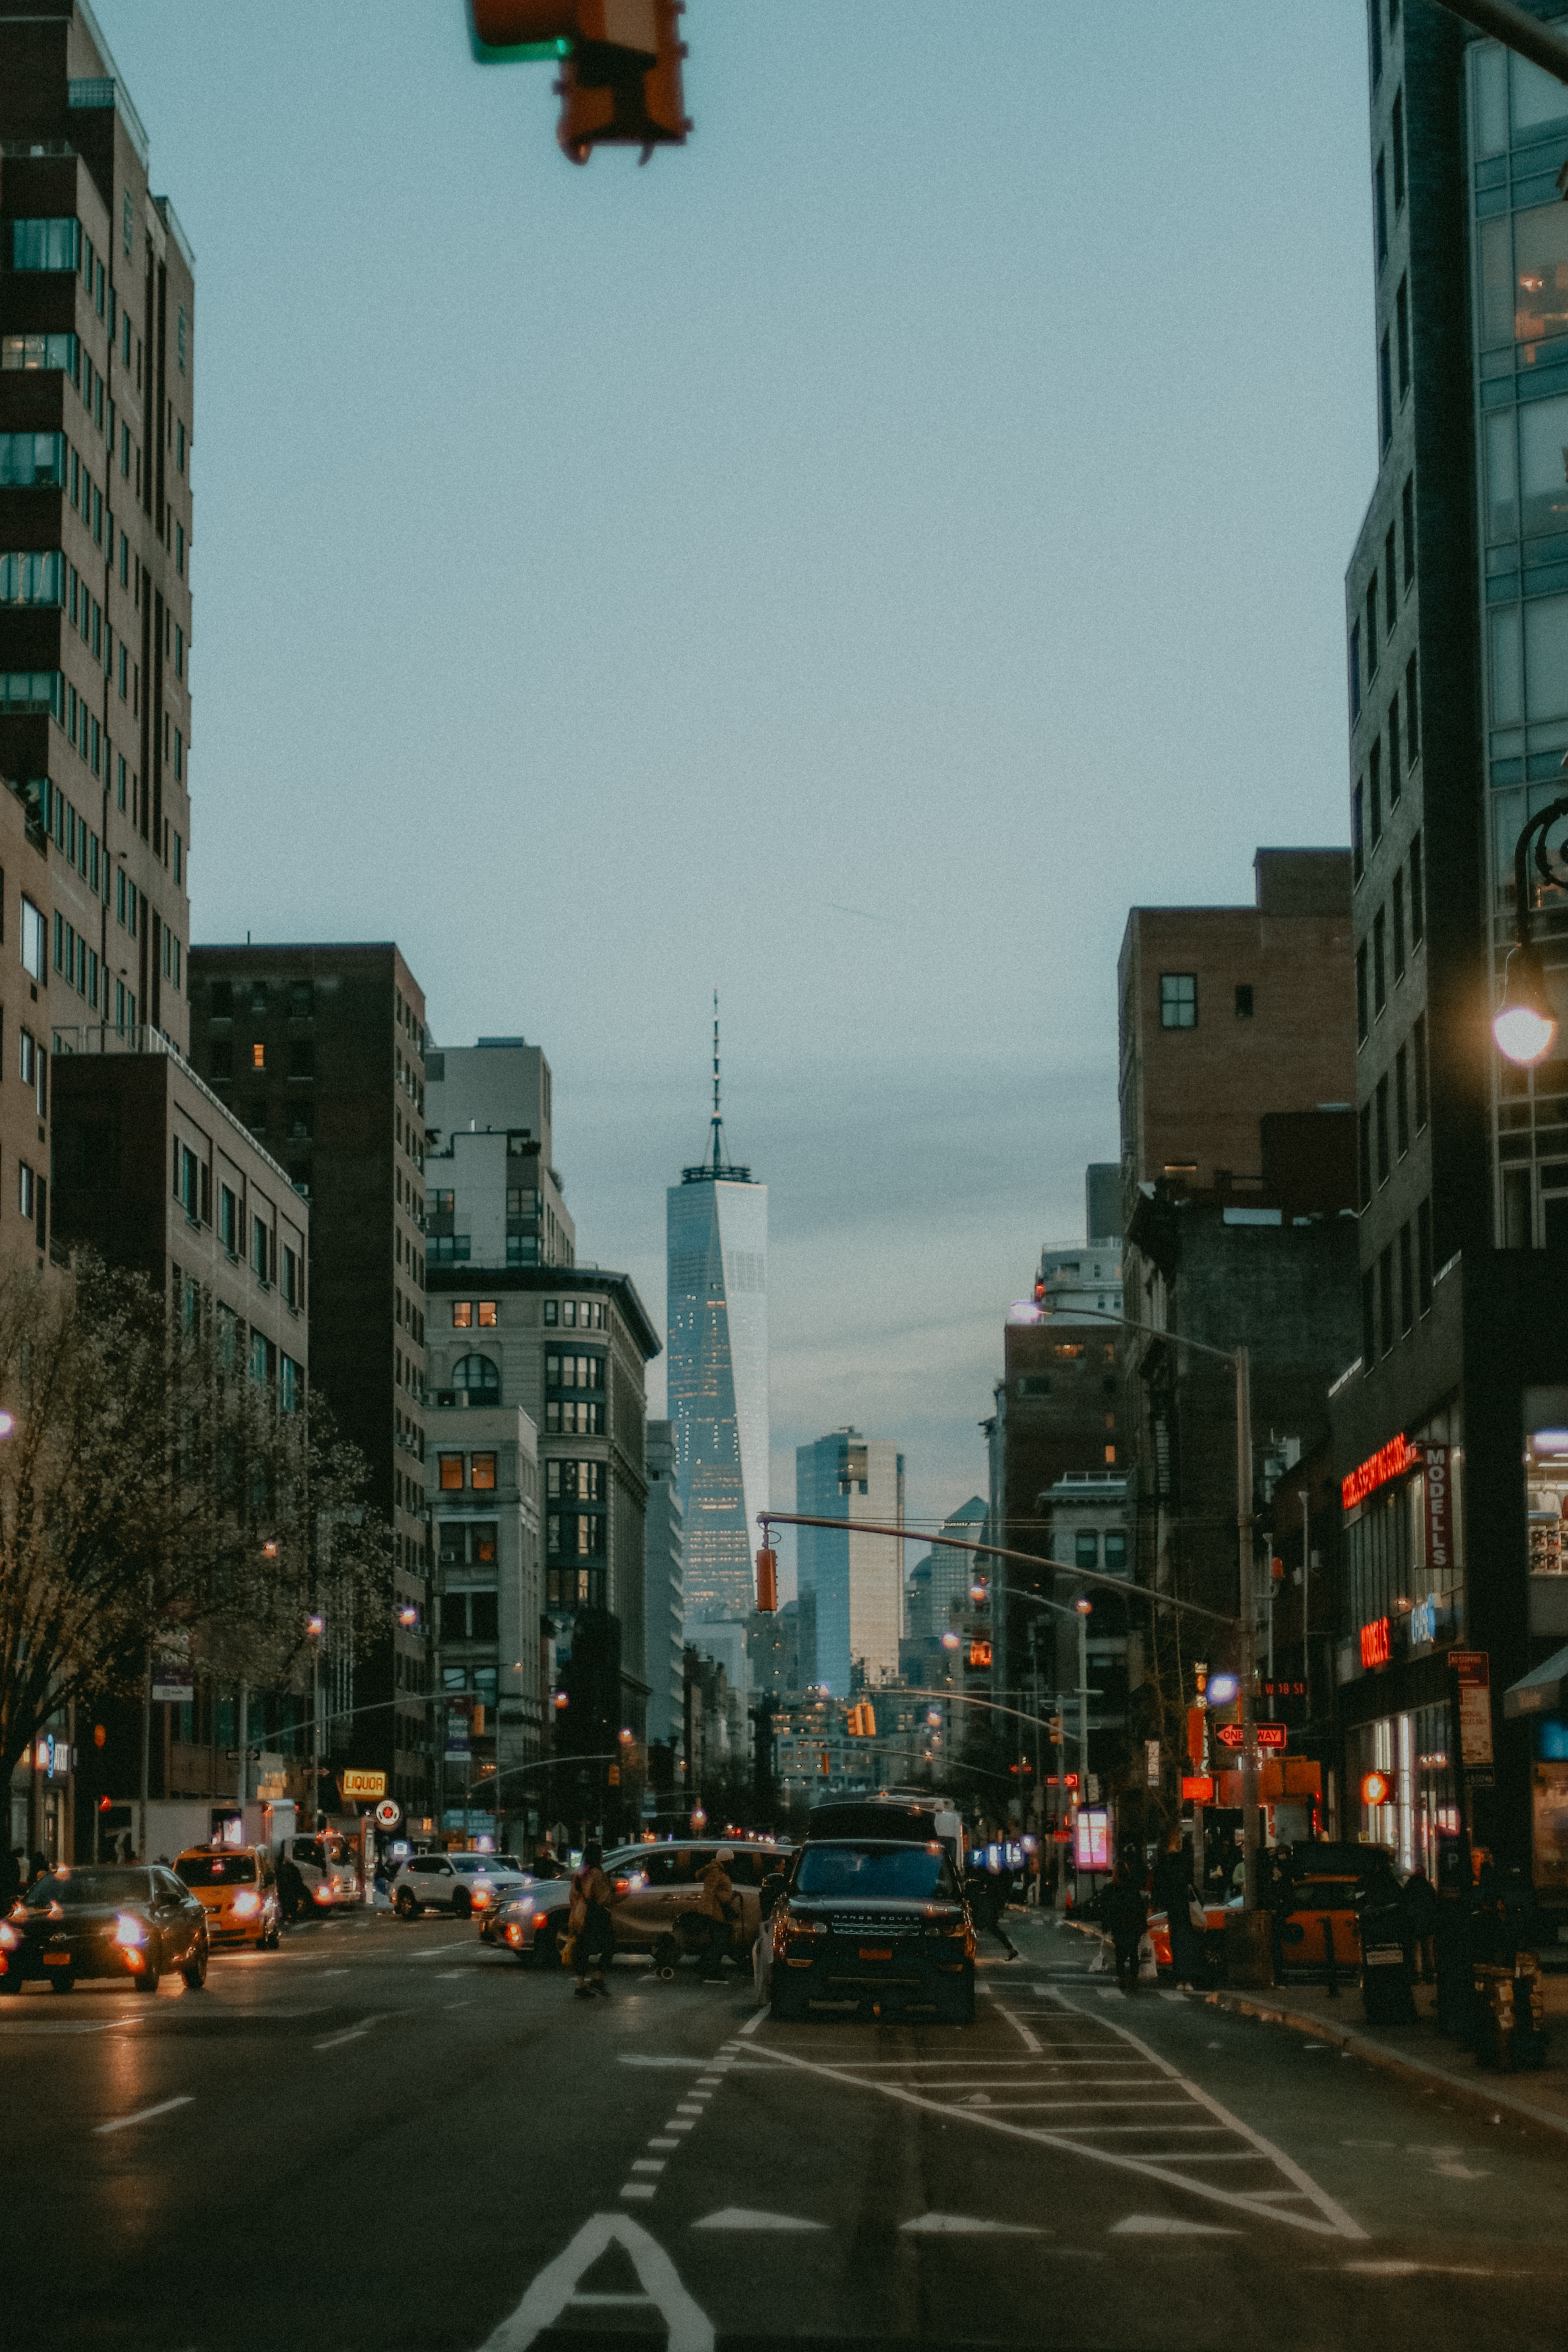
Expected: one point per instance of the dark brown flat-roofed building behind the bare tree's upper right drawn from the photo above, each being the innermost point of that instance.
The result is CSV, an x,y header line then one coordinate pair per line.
x,y
319,1050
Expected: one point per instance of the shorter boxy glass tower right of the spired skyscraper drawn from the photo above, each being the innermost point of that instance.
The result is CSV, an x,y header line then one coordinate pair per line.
x,y
850,1584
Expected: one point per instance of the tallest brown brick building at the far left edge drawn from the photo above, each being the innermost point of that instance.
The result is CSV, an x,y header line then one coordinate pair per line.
x,y
98,373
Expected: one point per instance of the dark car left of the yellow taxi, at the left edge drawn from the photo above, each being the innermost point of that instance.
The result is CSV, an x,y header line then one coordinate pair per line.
x,y
123,1920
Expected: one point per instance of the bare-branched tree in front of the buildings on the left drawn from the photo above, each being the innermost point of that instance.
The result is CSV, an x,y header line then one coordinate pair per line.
x,y
152,1483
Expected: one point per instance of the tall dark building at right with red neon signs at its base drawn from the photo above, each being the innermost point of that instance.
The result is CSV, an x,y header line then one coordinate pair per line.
x,y
1456,613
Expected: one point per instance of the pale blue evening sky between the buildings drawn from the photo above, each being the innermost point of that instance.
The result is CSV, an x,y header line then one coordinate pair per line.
x,y
845,563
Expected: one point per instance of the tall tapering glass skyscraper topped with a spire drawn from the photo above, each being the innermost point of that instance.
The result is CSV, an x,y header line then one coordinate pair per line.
x,y
718,1311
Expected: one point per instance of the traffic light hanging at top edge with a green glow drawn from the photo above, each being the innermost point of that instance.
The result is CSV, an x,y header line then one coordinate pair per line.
x,y
622,67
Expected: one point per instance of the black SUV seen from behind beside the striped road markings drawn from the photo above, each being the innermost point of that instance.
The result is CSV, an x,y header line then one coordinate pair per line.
x,y
871,1923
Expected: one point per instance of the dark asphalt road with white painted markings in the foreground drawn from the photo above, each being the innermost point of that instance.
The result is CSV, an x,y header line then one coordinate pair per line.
x,y
389,2137
